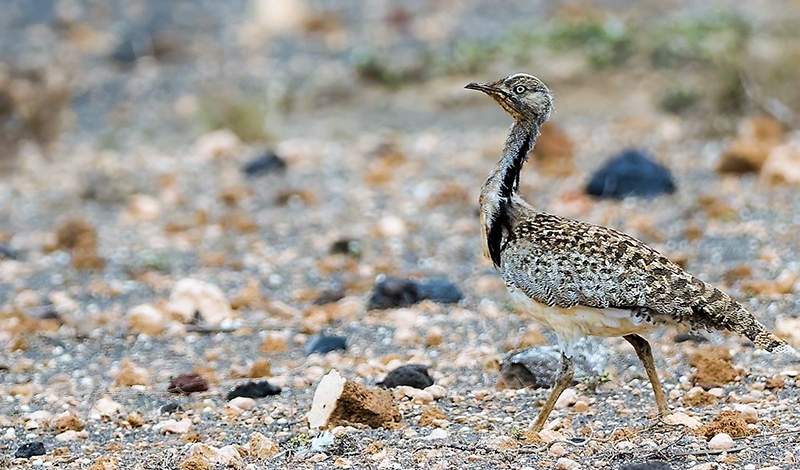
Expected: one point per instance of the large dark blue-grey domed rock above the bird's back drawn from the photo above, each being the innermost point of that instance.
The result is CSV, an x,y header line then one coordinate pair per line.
x,y
631,173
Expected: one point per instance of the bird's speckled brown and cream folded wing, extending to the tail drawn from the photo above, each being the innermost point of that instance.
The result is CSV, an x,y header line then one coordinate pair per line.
x,y
566,263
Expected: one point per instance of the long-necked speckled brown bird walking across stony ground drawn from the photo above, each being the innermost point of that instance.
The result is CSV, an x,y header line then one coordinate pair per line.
x,y
580,279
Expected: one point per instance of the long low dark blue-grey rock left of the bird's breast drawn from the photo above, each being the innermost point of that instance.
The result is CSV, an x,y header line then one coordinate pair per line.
x,y
391,292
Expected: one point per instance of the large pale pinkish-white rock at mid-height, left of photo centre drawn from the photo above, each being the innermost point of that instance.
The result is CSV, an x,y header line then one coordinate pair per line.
x,y
191,295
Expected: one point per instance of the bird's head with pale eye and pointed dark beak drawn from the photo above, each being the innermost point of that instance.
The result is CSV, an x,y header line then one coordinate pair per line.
x,y
524,96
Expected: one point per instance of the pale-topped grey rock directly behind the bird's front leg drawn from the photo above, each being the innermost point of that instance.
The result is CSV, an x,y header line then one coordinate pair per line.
x,y
537,367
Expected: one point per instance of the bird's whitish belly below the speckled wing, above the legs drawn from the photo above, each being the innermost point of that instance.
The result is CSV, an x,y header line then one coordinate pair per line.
x,y
571,324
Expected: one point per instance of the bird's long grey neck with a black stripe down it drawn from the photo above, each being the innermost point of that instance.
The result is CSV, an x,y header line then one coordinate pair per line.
x,y
502,184
